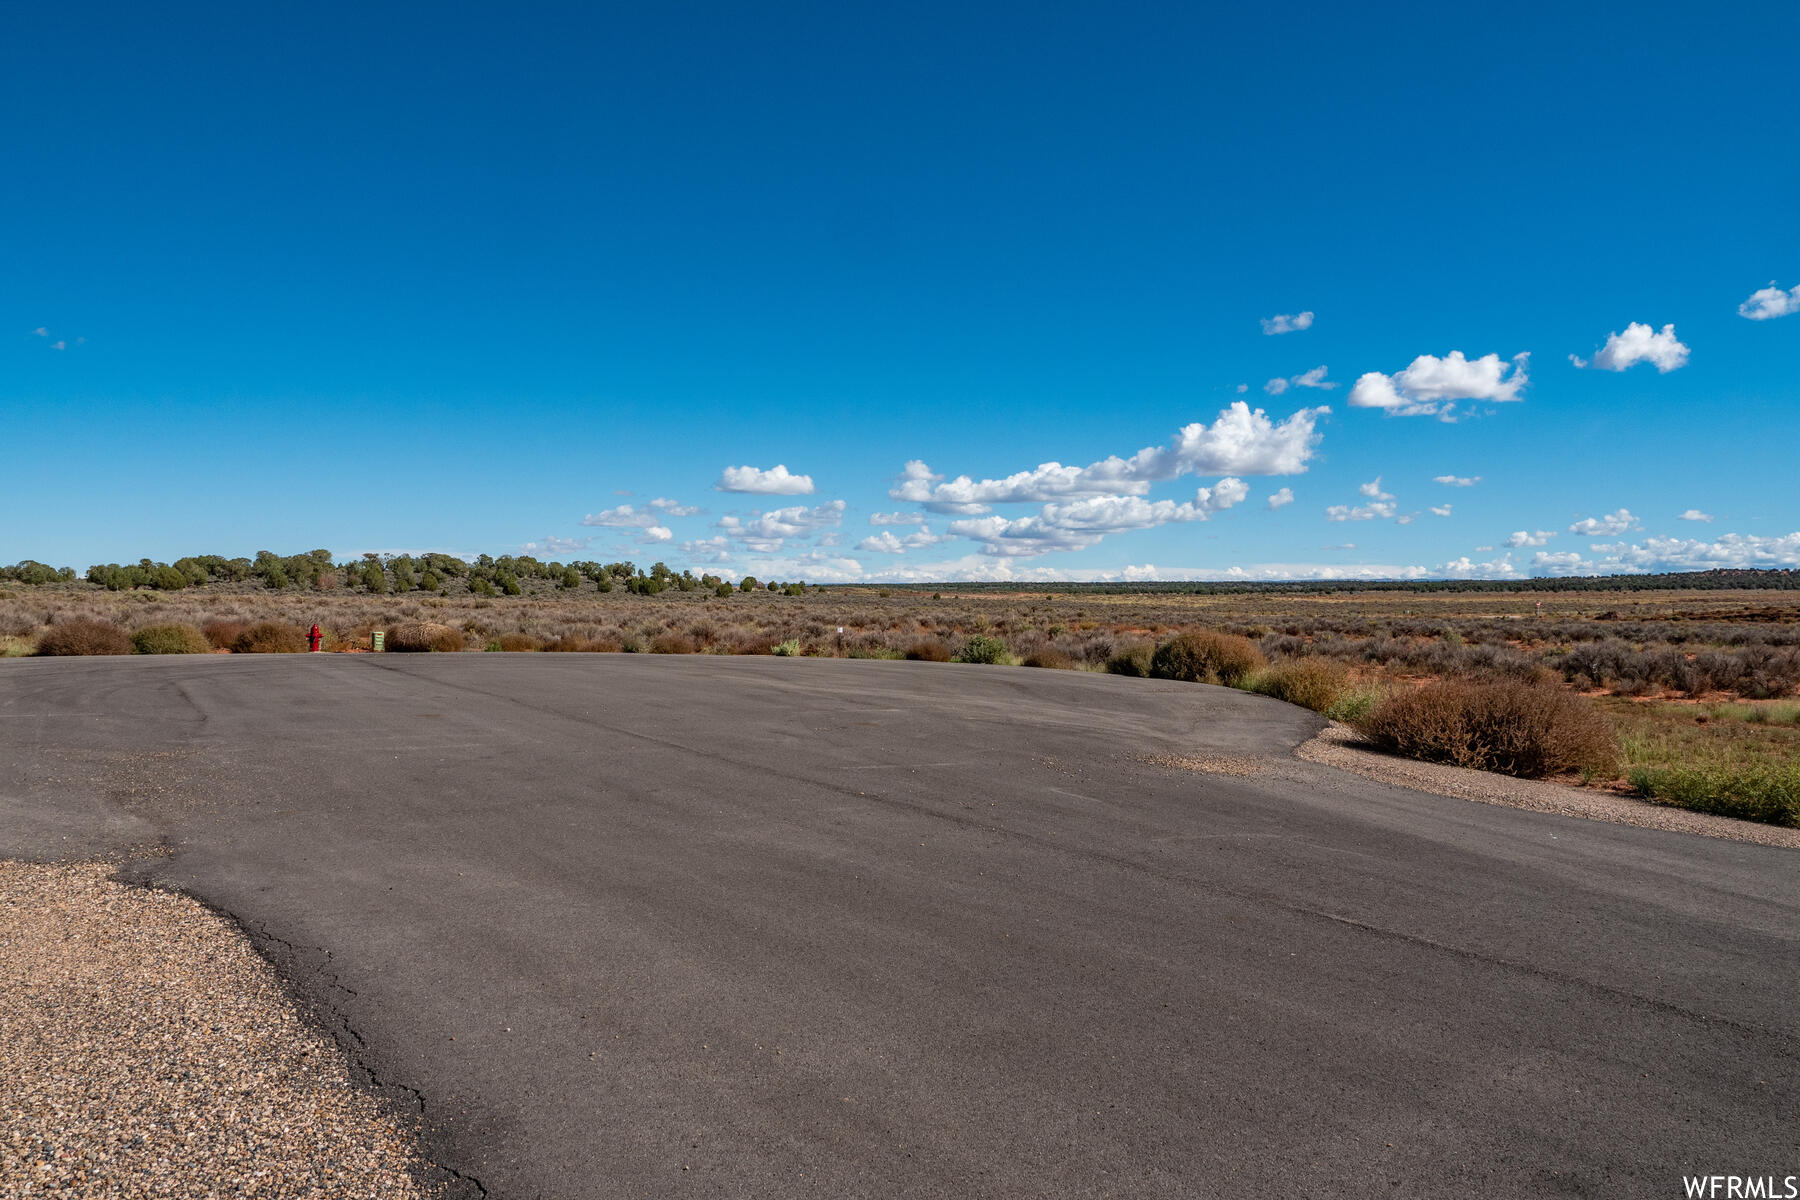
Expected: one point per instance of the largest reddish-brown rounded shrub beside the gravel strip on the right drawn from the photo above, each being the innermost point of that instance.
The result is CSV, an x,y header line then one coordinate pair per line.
x,y
1502,726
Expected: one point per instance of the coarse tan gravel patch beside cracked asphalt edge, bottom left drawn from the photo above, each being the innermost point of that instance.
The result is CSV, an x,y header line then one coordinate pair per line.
x,y
148,1052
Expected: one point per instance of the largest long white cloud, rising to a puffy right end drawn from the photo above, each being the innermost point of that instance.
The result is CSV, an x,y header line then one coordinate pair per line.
x,y
1243,442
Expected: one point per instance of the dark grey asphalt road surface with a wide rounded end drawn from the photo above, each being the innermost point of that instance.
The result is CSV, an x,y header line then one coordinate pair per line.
x,y
784,927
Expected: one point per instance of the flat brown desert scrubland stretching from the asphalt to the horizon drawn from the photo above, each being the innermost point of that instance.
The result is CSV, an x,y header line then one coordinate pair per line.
x,y
1698,688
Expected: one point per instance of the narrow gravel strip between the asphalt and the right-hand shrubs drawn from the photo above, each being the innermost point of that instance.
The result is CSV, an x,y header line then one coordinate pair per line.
x,y
1342,748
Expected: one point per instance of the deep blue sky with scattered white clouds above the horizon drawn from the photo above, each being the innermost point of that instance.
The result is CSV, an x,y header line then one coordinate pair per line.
x,y
476,280
